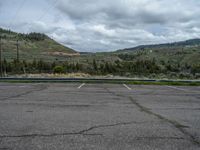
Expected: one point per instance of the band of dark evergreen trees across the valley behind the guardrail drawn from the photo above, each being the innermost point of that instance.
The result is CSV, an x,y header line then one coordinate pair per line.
x,y
122,68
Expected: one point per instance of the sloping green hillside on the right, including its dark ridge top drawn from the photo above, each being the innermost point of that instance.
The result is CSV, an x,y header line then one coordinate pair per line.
x,y
181,53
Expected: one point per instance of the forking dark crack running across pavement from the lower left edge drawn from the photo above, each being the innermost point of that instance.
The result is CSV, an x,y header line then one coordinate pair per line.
x,y
82,132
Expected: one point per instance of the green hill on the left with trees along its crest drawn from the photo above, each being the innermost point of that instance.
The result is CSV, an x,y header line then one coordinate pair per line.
x,y
33,46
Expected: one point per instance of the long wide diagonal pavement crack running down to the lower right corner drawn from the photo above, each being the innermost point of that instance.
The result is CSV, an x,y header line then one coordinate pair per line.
x,y
174,123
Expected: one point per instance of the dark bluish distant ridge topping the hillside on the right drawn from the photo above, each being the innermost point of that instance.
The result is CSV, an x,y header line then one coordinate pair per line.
x,y
187,43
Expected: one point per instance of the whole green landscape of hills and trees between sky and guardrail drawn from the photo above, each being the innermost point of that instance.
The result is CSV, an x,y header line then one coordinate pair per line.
x,y
40,54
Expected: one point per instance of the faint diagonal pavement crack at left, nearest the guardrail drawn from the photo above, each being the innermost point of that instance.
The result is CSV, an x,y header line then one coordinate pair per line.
x,y
41,87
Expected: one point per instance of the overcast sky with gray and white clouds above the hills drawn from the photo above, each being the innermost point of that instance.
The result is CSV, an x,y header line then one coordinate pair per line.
x,y
104,25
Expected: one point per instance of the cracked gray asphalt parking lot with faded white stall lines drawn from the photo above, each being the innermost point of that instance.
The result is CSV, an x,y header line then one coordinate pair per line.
x,y
72,116
